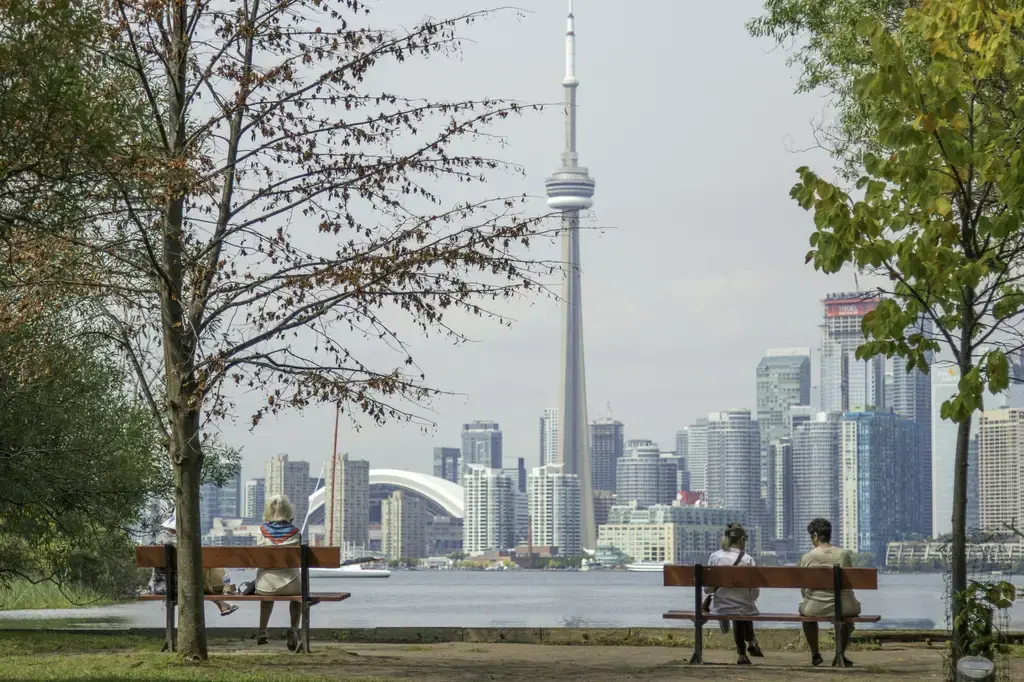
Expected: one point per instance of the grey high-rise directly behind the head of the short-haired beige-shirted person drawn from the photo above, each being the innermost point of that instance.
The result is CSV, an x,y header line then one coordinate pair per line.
x,y
817,475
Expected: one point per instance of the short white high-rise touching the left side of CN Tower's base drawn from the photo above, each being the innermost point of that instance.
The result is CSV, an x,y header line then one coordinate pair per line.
x,y
554,499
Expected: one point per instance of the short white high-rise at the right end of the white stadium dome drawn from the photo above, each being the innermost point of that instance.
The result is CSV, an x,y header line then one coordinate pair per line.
x,y
490,510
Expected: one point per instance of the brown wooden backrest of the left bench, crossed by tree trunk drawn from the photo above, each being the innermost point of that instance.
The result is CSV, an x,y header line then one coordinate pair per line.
x,y
247,558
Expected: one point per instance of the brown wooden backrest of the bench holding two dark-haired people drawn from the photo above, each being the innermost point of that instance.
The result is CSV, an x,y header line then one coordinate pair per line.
x,y
772,577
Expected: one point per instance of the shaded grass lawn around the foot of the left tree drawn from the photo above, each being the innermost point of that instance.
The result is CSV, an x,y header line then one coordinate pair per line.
x,y
34,657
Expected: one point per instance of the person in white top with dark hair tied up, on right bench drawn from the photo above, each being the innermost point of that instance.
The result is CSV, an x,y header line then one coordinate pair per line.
x,y
736,602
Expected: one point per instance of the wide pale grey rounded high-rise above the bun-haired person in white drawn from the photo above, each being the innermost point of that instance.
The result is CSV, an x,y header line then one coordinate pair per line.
x,y
735,463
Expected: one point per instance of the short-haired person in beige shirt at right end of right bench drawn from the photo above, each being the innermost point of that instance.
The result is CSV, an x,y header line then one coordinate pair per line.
x,y
822,604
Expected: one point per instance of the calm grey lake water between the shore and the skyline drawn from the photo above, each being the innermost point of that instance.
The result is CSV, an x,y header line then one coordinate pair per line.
x,y
536,600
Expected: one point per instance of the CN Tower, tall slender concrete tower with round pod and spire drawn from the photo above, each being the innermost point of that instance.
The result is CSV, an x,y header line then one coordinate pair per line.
x,y
570,191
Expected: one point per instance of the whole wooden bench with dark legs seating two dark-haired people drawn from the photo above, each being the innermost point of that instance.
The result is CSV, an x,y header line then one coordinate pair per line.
x,y
835,580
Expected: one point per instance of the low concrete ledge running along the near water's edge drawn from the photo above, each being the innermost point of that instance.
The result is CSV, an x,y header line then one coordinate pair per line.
x,y
672,637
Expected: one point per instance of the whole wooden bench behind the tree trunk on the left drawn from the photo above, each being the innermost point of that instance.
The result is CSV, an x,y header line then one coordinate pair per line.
x,y
303,558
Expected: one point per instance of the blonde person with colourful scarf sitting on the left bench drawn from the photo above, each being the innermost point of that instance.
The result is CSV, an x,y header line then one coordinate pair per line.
x,y
278,531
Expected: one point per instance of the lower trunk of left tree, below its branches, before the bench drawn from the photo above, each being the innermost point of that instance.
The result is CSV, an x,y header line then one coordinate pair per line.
x,y
188,475
